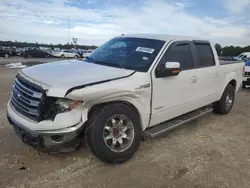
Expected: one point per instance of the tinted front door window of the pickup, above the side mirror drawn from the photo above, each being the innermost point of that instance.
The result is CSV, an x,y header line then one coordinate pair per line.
x,y
179,53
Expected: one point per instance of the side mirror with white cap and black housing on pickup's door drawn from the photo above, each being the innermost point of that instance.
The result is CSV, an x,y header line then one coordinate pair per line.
x,y
169,69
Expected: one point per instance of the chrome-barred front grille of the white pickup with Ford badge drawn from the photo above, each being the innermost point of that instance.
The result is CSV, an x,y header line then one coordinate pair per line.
x,y
27,98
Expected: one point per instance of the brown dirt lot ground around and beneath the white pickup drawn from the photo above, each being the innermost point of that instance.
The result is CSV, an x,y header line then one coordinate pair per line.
x,y
213,151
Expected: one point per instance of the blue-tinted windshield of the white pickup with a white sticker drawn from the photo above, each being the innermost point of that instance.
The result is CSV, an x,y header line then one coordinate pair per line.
x,y
129,53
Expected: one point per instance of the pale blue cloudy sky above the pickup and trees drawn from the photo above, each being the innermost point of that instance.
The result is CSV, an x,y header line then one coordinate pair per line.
x,y
95,21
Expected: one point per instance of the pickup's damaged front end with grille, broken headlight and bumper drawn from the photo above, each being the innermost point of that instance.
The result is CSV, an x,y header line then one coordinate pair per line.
x,y
46,123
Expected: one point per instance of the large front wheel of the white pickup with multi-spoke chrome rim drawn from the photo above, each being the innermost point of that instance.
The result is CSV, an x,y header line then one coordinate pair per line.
x,y
97,129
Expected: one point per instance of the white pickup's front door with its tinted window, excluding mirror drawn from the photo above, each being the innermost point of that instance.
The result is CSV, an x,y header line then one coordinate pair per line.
x,y
175,95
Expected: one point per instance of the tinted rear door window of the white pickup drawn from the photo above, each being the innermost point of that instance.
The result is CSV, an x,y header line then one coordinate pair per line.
x,y
205,55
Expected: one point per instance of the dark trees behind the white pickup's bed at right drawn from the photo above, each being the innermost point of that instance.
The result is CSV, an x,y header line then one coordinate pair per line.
x,y
231,50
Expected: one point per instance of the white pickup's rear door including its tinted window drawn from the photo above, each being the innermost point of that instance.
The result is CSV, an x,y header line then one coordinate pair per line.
x,y
208,76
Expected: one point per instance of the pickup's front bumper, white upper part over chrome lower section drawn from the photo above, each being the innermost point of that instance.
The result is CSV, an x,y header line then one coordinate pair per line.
x,y
48,140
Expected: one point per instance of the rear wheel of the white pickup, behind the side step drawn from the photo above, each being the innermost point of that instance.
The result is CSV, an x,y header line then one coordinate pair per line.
x,y
225,104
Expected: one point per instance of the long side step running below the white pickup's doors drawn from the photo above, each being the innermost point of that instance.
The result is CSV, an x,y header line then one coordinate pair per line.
x,y
176,122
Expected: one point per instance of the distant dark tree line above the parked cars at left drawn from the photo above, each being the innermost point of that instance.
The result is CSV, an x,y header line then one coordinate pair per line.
x,y
52,46
